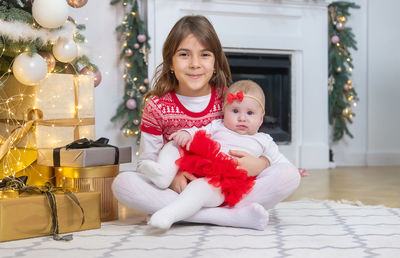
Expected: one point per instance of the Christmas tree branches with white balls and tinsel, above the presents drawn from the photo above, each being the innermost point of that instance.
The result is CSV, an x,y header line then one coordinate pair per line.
x,y
41,36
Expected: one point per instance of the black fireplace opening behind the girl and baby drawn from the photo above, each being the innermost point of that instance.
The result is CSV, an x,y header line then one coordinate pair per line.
x,y
272,72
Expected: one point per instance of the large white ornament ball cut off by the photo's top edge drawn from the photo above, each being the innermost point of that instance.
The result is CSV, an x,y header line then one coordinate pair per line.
x,y
50,13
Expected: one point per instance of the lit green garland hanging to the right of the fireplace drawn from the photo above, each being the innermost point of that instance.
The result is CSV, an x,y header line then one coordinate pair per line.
x,y
342,95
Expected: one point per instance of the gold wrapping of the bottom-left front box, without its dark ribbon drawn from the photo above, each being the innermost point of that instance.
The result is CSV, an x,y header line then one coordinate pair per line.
x,y
29,215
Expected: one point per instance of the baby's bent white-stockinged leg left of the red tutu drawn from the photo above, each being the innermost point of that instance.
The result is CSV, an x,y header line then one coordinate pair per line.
x,y
162,171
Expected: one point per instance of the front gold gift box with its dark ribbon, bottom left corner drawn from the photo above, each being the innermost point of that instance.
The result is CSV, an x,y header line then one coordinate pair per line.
x,y
53,210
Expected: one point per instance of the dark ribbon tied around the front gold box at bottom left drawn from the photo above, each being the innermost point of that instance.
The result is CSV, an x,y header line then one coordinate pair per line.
x,y
48,189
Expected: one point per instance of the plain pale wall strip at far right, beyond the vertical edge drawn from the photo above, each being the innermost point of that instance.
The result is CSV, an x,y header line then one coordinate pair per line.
x,y
383,82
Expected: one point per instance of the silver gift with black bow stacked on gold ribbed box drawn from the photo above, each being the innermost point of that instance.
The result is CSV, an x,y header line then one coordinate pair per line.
x,y
87,165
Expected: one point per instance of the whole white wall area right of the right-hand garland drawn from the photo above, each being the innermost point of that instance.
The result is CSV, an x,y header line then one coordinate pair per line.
x,y
377,66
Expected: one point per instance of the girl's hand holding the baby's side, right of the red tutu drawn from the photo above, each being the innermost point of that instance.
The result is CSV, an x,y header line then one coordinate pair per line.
x,y
251,164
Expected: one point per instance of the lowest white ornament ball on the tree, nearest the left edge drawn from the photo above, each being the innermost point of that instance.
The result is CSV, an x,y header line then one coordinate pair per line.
x,y
29,70
